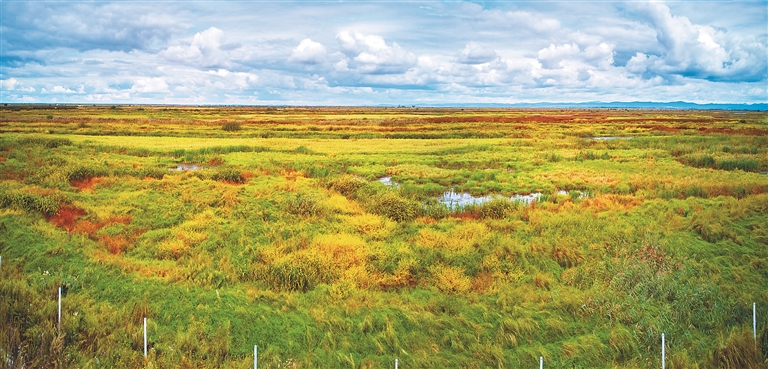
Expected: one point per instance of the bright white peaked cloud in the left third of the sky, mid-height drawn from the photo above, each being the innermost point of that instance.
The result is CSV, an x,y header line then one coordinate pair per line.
x,y
205,51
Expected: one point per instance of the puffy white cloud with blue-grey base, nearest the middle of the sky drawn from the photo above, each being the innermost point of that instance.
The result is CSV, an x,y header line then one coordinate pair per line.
x,y
372,55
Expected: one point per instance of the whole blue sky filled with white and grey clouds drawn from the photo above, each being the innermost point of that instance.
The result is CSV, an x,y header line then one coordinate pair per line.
x,y
383,52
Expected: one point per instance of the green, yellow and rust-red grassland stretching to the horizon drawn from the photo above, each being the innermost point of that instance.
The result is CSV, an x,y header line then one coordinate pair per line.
x,y
283,237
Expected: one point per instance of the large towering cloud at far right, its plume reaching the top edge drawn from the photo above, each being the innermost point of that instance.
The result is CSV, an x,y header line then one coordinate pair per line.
x,y
696,51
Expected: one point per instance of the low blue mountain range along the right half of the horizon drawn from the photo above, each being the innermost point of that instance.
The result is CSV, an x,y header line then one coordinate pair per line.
x,y
611,105
